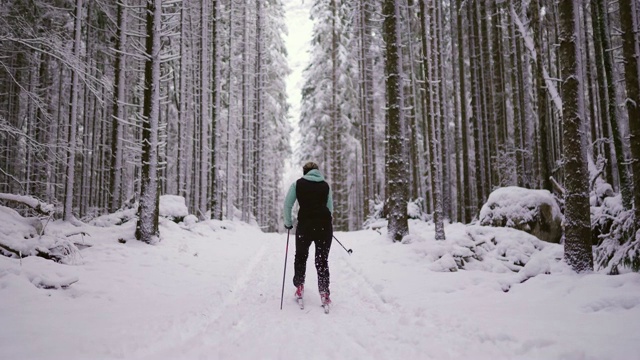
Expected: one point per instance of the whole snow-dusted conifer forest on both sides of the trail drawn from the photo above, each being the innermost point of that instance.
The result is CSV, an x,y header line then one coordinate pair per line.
x,y
406,104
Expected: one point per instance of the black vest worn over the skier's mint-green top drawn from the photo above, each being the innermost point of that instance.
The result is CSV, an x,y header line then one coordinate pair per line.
x,y
312,197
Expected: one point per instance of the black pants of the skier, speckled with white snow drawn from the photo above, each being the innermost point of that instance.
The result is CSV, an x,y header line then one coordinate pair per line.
x,y
321,235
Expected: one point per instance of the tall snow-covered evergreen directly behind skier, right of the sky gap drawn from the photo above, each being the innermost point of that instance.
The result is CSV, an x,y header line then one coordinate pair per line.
x,y
328,104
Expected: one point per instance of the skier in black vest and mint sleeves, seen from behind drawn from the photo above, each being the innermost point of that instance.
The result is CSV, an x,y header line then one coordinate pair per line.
x,y
314,225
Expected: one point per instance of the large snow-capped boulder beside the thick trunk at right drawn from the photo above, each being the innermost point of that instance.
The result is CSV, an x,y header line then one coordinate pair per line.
x,y
533,211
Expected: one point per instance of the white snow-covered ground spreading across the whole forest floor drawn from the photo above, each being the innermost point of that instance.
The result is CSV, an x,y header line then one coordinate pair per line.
x,y
211,290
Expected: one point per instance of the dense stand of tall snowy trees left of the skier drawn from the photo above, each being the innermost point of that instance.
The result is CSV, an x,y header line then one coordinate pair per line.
x,y
79,127
